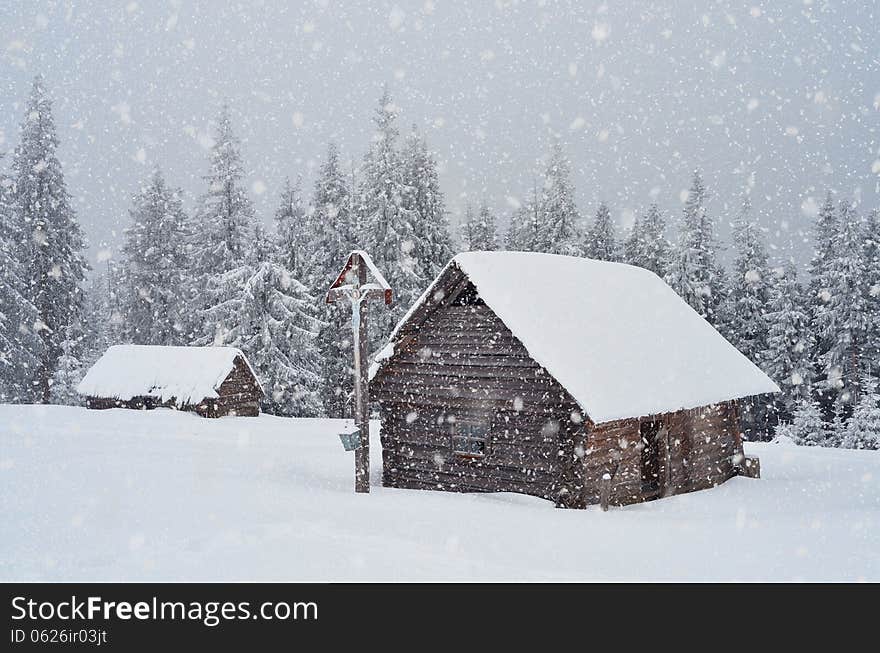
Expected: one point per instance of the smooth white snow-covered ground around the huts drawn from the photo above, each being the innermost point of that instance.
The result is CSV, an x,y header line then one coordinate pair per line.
x,y
160,495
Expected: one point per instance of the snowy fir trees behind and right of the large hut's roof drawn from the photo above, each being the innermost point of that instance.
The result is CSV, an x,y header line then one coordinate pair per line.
x,y
819,340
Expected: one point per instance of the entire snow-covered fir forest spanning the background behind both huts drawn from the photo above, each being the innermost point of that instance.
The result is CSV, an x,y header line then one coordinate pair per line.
x,y
219,277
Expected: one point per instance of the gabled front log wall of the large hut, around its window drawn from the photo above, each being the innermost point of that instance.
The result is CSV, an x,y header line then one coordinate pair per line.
x,y
463,362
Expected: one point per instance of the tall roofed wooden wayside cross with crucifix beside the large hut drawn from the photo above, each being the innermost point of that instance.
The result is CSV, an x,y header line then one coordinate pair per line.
x,y
352,284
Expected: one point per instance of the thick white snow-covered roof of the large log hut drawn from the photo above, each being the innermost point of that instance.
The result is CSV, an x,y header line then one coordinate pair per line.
x,y
617,337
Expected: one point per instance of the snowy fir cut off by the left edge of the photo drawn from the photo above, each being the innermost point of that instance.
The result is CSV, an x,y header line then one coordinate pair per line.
x,y
18,342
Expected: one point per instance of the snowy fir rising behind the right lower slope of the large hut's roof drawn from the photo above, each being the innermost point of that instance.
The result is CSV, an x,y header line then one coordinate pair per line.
x,y
745,318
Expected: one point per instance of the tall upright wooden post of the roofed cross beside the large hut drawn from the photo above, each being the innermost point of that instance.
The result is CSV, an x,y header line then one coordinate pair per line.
x,y
361,386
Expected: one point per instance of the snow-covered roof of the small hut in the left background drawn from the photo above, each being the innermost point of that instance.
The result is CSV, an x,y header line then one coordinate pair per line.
x,y
185,374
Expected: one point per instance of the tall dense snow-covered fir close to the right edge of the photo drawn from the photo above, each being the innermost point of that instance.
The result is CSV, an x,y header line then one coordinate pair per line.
x,y
845,322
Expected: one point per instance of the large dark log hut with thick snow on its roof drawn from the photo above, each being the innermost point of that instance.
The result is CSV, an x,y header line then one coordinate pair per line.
x,y
542,374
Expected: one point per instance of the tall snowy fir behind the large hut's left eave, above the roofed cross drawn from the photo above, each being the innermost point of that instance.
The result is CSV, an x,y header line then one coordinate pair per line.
x,y
387,219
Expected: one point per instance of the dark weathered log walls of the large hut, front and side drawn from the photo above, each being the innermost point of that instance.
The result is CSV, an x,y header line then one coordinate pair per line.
x,y
462,362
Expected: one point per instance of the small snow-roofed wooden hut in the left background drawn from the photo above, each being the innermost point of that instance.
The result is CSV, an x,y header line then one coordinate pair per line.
x,y
211,381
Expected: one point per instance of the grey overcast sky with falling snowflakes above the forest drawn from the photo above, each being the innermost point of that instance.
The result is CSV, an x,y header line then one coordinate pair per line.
x,y
778,99
